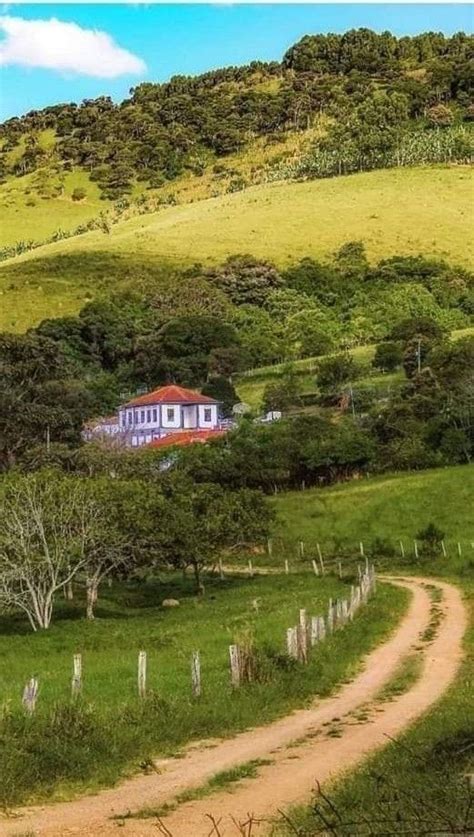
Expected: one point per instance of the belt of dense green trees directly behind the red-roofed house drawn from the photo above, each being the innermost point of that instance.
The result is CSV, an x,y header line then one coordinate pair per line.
x,y
201,328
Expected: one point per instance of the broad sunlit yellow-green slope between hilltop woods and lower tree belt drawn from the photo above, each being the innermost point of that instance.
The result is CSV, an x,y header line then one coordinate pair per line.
x,y
420,210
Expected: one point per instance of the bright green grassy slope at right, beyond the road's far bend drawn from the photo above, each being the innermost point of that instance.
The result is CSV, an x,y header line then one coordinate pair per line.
x,y
390,506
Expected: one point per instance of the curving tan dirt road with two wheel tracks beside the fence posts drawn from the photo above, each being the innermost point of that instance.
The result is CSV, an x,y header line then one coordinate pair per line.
x,y
298,745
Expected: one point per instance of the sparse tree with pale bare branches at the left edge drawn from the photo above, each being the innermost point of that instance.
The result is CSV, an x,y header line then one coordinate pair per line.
x,y
46,524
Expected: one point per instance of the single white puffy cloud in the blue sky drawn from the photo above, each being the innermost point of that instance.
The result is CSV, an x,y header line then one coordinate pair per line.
x,y
66,47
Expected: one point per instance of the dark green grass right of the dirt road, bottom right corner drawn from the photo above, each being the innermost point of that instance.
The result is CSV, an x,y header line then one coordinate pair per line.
x,y
417,785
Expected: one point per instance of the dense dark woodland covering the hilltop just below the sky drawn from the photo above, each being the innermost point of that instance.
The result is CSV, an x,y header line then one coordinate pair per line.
x,y
371,91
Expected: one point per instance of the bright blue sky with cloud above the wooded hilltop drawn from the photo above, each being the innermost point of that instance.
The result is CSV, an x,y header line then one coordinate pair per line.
x,y
69,52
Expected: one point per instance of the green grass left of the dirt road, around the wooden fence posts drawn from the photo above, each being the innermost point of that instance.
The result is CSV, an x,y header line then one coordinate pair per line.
x,y
70,747
